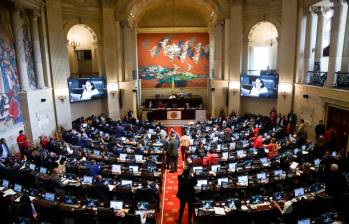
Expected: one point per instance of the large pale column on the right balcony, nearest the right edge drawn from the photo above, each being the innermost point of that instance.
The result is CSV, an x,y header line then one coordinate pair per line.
x,y
336,41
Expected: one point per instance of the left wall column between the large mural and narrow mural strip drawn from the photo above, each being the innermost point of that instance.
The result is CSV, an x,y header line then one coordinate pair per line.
x,y
17,22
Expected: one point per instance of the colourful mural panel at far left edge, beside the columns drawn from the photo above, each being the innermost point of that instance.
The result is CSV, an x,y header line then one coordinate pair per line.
x,y
10,111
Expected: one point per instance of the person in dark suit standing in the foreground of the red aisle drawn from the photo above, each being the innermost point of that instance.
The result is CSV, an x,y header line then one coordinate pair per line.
x,y
186,192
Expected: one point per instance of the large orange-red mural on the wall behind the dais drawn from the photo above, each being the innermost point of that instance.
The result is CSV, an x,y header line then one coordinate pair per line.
x,y
179,58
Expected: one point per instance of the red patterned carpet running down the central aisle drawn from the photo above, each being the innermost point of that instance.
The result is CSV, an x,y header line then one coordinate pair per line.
x,y
170,208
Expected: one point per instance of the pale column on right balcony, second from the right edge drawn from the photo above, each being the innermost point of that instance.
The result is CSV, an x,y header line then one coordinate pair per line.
x,y
309,44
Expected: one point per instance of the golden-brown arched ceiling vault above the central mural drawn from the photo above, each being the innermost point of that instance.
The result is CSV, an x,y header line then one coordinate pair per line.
x,y
172,13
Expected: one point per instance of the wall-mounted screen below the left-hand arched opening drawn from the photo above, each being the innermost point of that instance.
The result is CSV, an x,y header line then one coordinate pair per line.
x,y
84,89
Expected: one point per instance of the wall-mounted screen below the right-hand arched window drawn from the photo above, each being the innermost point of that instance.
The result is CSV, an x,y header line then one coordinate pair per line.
x,y
262,86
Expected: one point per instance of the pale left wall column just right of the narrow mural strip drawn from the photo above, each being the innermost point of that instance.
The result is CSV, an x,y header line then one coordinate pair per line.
x,y
40,84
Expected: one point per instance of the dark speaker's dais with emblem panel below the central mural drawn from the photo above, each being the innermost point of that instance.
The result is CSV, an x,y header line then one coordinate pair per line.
x,y
175,111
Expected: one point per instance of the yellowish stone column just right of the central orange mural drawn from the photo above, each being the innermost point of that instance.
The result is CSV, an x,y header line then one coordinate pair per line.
x,y
219,29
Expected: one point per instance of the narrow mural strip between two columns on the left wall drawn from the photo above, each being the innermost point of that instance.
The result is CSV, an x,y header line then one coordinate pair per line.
x,y
28,48
